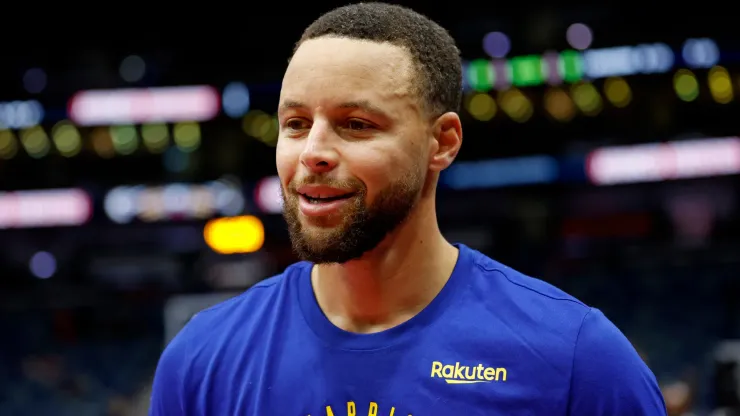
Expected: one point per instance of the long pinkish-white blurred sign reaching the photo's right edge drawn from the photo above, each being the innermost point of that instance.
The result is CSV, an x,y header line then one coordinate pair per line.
x,y
664,161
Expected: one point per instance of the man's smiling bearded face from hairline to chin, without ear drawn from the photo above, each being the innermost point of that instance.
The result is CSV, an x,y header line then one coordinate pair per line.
x,y
353,151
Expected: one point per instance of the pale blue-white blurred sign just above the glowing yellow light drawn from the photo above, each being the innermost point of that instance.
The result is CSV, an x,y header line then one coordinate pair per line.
x,y
173,202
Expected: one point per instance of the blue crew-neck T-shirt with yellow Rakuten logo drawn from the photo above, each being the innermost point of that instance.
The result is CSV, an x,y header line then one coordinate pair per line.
x,y
493,342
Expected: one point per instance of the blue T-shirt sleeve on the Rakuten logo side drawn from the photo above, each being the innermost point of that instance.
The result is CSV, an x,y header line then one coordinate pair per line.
x,y
609,378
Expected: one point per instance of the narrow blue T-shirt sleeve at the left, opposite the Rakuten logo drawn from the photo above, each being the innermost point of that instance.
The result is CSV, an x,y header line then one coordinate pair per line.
x,y
169,381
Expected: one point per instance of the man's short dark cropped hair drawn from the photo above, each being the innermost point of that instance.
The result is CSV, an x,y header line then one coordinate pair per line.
x,y
433,51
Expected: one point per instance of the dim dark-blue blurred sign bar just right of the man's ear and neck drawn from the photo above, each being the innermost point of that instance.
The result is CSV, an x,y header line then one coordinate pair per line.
x,y
502,172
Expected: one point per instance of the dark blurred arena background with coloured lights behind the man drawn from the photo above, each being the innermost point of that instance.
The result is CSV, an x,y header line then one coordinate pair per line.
x,y
137,183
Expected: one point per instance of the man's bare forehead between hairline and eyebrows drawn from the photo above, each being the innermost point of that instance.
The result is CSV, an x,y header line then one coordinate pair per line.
x,y
327,70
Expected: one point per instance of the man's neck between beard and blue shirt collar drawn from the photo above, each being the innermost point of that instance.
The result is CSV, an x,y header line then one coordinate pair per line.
x,y
393,282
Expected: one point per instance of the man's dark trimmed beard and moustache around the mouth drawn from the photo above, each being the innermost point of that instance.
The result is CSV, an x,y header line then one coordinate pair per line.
x,y
362,226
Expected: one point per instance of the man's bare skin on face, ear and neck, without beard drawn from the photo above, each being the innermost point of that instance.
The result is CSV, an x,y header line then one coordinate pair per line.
x,y
348,114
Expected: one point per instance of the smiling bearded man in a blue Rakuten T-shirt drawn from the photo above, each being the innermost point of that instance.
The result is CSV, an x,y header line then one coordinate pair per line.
x,y
385,317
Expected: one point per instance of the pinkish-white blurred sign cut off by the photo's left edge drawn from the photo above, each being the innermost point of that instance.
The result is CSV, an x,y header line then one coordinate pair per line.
x,y
44,208
